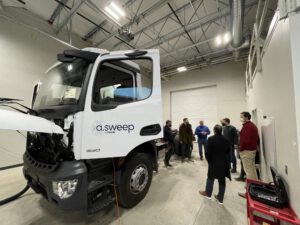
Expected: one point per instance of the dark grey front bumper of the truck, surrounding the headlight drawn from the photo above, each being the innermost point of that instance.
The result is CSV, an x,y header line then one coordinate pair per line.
x,y
40,177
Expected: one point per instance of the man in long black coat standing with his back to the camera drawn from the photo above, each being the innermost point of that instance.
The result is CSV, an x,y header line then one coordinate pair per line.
x,y
216,154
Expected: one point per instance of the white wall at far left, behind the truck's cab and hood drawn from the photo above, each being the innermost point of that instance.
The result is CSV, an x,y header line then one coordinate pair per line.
x,y
25,55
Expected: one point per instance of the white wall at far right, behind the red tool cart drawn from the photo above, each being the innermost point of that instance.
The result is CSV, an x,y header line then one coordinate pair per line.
x,y
273,95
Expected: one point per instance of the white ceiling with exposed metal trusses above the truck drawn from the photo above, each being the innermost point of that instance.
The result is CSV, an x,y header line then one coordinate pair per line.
x,y
152,23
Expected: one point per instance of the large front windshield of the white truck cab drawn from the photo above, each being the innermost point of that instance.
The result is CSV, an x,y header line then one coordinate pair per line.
x,y
62,84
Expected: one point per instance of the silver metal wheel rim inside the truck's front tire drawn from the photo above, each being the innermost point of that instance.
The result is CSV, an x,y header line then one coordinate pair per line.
x,y
139,179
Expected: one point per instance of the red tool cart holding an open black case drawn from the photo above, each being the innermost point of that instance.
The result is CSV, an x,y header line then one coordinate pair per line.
x,y
267,204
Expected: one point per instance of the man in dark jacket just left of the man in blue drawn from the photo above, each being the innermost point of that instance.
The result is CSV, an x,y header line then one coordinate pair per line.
x,y
186,139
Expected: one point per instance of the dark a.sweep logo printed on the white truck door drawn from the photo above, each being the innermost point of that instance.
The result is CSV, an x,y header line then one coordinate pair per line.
x,y
113,128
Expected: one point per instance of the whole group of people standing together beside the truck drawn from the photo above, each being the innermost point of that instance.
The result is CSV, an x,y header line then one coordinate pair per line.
x,y
219,150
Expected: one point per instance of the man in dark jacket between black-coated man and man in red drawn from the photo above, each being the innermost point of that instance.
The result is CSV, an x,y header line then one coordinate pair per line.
x,y
230,133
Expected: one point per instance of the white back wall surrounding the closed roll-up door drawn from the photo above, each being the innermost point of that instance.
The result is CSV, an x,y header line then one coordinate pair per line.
x,y
230,89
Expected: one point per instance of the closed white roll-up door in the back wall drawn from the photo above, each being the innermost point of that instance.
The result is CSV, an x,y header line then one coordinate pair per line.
x,y
195,104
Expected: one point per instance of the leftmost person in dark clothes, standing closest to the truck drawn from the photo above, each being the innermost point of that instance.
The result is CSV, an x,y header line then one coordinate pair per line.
x,y
169,138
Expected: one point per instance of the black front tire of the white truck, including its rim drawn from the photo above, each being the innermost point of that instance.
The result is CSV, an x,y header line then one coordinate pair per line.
x,y
135,180
